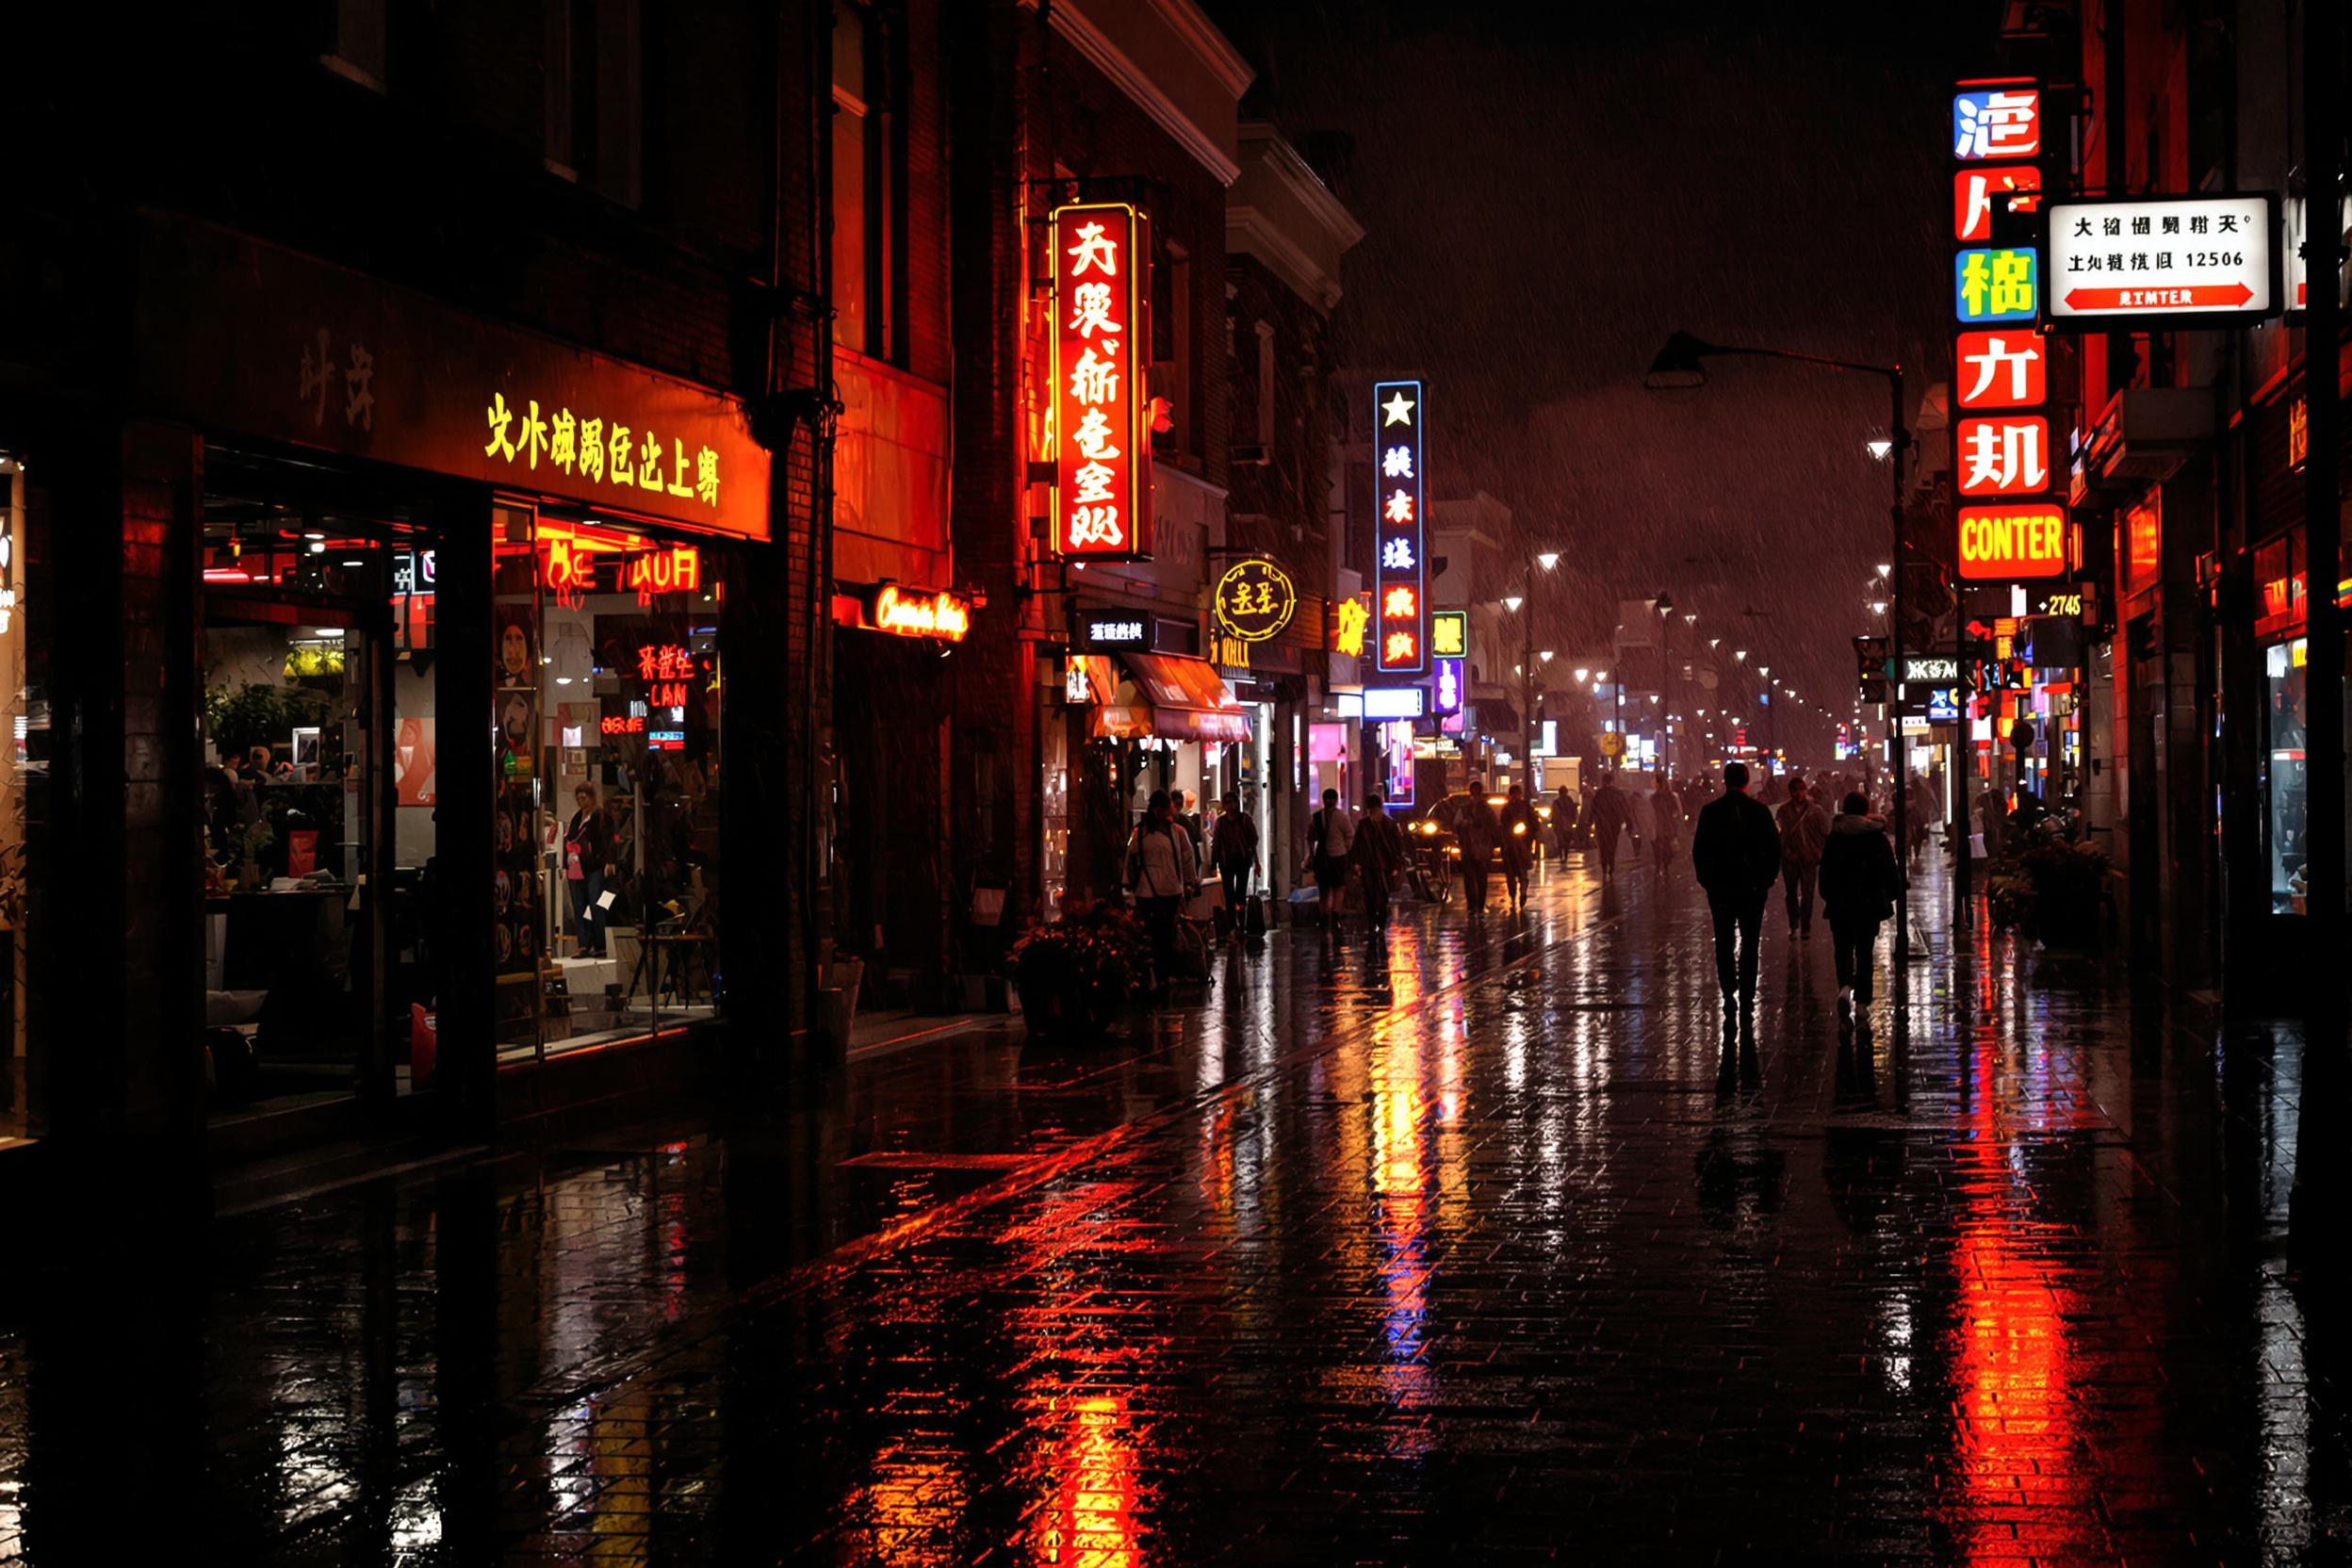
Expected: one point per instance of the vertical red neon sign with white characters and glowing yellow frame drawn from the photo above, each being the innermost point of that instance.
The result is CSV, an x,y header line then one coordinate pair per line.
x,y
1102,431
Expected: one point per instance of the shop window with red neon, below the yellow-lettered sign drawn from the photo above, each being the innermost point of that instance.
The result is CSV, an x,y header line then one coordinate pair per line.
x,y
608,753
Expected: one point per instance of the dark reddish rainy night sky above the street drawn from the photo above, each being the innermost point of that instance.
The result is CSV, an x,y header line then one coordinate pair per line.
x,y
1546,201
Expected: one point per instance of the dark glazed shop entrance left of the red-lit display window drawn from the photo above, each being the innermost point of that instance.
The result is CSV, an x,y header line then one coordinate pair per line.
x,y
305,996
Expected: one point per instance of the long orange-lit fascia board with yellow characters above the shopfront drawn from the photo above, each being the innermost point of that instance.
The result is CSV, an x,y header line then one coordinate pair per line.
x,y
258,340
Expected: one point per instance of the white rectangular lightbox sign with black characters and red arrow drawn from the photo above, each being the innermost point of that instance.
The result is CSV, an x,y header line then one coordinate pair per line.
x,y
2158,262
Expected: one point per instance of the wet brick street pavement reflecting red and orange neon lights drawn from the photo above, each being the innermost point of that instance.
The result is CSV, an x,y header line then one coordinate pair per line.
x,y
1462,1247
